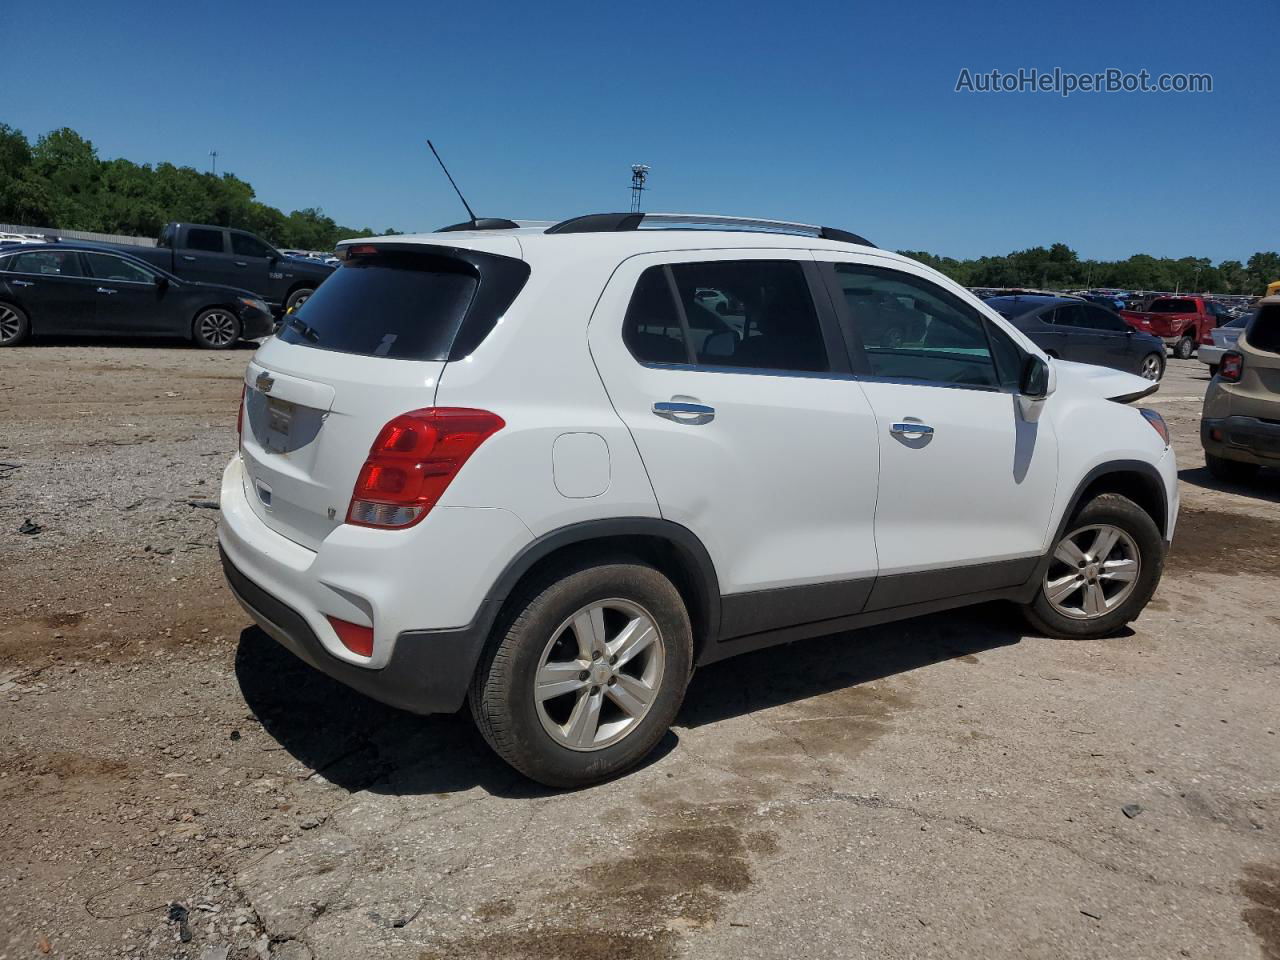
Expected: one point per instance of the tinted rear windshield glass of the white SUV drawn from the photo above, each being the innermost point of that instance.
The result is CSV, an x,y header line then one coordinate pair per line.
x,y
406,307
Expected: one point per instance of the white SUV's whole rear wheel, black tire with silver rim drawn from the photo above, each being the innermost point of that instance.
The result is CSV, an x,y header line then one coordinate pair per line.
x,y
586,673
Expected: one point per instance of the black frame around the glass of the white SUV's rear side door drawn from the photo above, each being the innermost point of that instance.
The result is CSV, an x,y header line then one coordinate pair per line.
x,y
833,342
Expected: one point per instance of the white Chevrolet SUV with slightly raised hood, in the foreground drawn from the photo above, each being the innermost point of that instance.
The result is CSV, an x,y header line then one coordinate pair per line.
x,y
550,472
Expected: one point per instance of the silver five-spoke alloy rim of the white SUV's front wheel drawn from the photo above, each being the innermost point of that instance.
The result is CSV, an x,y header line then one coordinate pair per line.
x,y
1094,570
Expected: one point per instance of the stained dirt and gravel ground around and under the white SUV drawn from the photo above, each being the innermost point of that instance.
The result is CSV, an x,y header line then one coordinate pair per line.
x,y
175,785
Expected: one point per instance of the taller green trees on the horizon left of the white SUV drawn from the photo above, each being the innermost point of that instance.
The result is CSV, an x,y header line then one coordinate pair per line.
x,y
61,182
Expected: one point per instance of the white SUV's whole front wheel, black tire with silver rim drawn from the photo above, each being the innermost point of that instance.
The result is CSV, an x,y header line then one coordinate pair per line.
x,y
1103,572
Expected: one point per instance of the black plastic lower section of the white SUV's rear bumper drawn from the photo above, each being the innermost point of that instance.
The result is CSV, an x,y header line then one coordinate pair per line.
x,y
428,673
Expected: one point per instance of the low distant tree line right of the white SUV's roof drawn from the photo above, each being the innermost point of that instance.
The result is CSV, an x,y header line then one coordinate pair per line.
x,y
1059,268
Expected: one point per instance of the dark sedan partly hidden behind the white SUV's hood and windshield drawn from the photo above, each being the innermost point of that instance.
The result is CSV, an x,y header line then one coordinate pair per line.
x,y
1076,330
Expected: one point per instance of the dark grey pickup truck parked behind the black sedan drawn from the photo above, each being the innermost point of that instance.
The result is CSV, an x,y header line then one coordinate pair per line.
x,y
235,259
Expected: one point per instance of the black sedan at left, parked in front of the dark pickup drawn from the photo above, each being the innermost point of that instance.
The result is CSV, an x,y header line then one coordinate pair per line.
x,y
71,289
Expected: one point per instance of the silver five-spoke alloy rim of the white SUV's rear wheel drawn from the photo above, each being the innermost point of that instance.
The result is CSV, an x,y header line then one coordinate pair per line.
x,y
600,675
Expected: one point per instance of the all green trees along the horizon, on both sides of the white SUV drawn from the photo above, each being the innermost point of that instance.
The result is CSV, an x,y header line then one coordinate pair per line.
x,y
62,182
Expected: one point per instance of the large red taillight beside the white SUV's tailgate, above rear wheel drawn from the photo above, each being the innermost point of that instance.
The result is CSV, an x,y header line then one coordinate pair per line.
x,y
414,460
